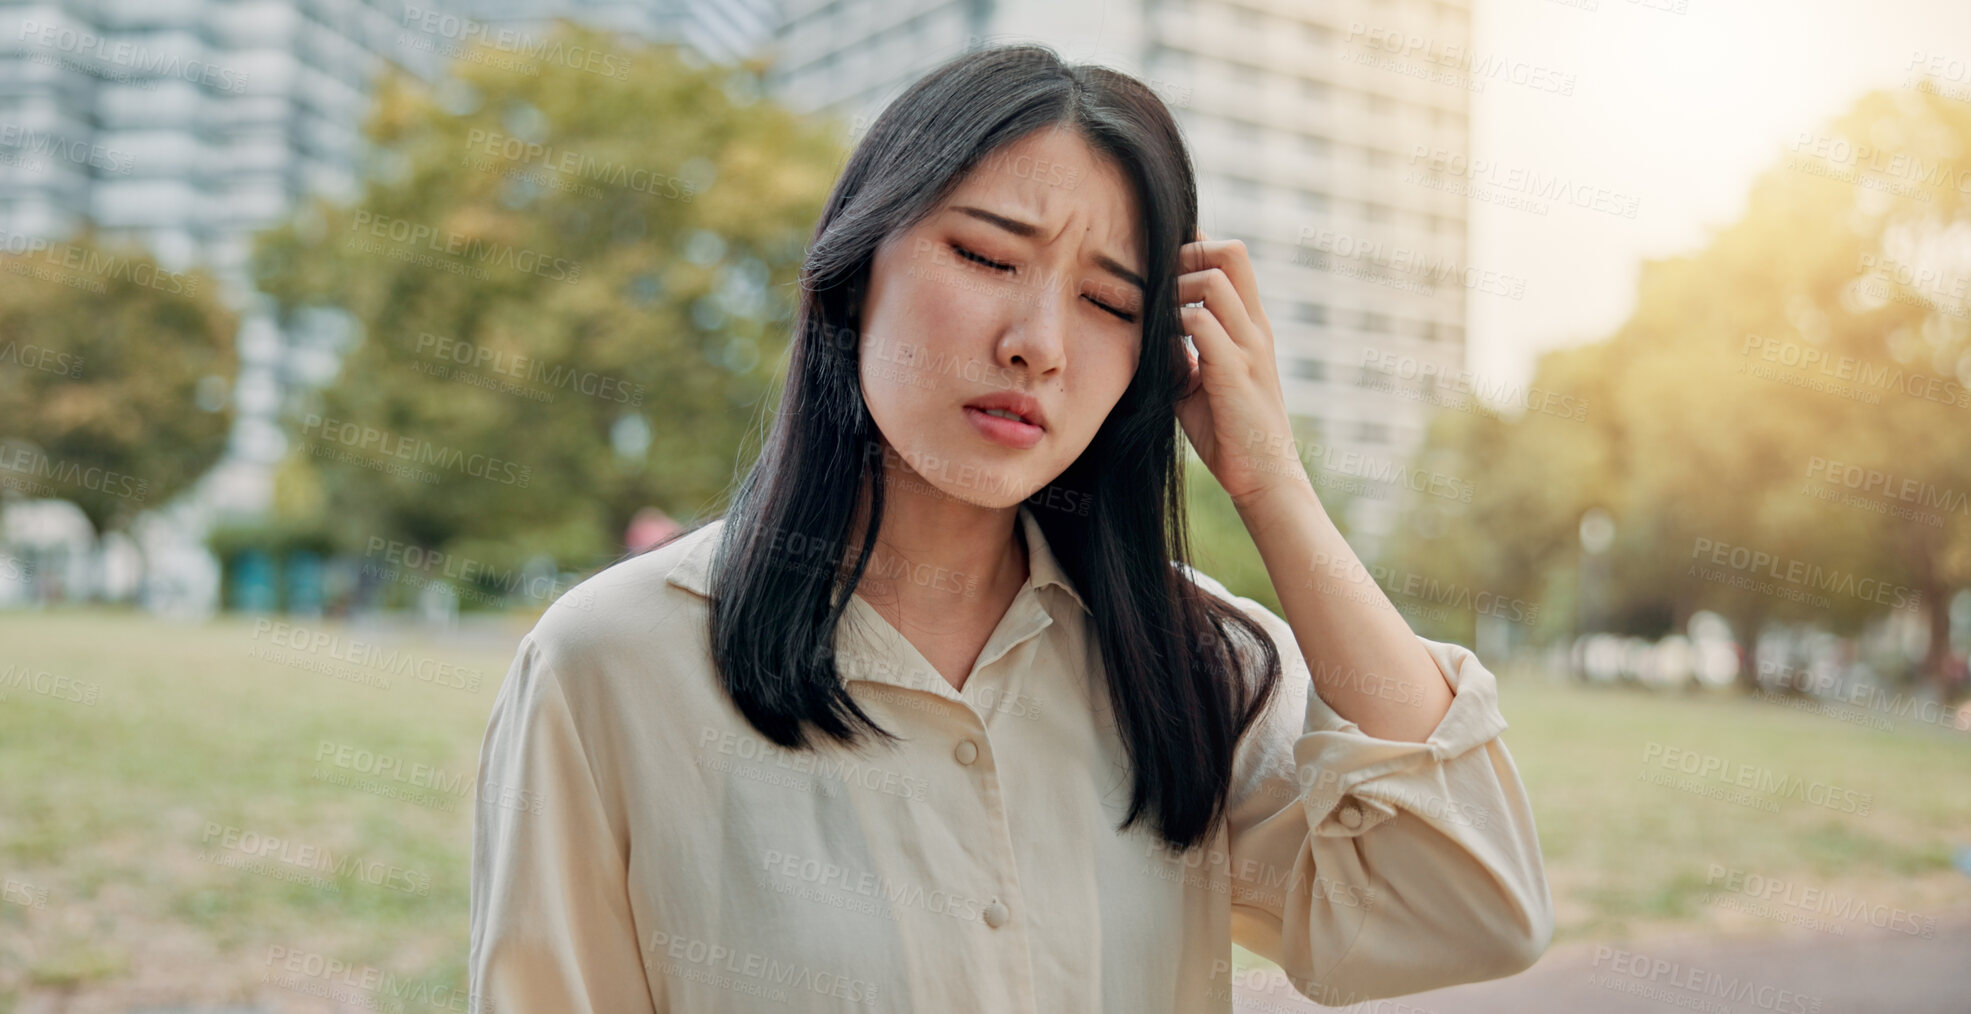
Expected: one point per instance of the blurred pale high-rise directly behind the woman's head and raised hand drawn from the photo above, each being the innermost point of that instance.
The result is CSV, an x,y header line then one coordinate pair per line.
x,y
1318,131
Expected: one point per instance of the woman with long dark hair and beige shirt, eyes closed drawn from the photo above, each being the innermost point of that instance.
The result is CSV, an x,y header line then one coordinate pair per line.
x,y
937,717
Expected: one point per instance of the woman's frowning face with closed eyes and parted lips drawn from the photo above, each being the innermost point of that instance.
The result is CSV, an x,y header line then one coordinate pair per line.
x,y
1024,287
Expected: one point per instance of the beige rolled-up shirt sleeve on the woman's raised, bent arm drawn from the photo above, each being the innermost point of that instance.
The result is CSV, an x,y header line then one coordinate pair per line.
x,y
1375,867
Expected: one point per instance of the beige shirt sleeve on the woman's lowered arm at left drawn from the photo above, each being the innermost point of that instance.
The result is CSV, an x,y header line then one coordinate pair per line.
x,y
551,918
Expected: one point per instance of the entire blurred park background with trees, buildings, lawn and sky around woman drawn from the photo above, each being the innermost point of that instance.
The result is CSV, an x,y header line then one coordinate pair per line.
x,y
1629,342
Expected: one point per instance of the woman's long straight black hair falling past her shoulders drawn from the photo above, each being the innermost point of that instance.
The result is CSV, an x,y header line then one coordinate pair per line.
x,y
1178,680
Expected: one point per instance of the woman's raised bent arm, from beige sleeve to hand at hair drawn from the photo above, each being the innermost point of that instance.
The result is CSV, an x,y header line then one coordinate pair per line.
x,y
1381,839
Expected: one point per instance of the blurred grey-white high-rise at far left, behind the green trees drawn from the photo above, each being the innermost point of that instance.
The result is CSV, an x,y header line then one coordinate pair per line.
x,y
192,125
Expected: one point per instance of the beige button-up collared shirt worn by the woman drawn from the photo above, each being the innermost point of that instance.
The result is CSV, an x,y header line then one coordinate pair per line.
x,y
640,849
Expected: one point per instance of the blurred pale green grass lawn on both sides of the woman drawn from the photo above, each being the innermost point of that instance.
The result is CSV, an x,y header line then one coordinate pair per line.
x,y
127,816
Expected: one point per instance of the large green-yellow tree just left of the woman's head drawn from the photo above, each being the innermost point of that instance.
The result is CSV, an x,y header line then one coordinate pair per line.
x,y
573,283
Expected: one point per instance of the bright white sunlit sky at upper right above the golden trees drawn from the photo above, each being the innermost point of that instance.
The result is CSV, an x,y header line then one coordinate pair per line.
x,y
1674,111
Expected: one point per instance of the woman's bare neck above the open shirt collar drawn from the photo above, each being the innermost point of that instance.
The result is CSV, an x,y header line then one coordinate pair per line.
x,y
937,553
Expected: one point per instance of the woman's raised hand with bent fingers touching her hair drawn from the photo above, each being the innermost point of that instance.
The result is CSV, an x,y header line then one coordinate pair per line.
x,y
1235,411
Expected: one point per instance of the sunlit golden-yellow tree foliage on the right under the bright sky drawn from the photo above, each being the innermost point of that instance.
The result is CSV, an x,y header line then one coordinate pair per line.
x,y
1799,390
